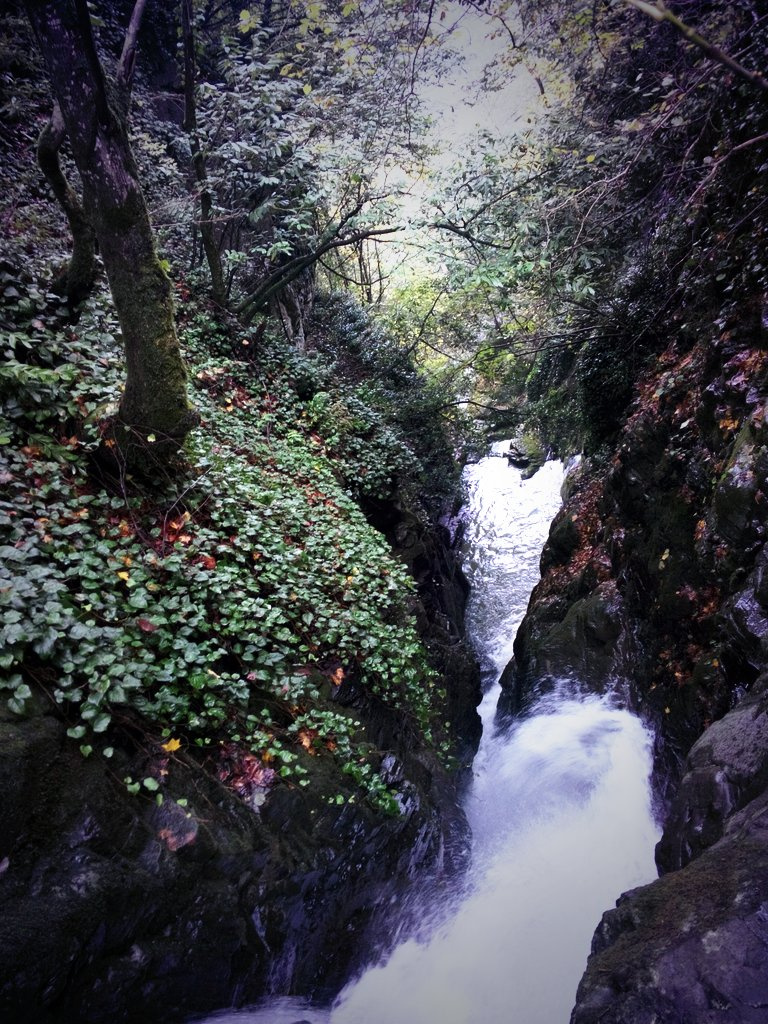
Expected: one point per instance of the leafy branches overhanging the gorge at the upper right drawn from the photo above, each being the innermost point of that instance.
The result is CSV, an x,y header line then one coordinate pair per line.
x,y
637,200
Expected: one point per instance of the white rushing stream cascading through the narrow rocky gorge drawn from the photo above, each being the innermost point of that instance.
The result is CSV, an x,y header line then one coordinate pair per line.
x,y
560,806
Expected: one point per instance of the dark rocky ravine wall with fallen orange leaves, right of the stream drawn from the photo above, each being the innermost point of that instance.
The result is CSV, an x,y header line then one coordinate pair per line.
x,y
655,586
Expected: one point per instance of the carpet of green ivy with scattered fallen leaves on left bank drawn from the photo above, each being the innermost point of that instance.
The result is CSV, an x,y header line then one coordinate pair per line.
x,y
230,606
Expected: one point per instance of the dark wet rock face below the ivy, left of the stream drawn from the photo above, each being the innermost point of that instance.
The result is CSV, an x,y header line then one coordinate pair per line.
x,y
119,910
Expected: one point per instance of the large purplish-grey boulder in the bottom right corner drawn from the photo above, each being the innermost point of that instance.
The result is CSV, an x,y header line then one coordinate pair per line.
x,y
692,947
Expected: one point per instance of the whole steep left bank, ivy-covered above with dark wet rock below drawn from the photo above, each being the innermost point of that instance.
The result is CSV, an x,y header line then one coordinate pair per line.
x,y
235,715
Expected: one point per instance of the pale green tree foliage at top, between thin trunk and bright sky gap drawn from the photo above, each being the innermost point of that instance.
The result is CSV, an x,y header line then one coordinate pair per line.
x,y
304,110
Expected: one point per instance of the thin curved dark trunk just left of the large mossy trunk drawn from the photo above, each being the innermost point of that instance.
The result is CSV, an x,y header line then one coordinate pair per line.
x,y
77,280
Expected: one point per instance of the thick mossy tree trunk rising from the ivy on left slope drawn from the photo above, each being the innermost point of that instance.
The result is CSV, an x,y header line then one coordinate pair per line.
x,y
155,403
